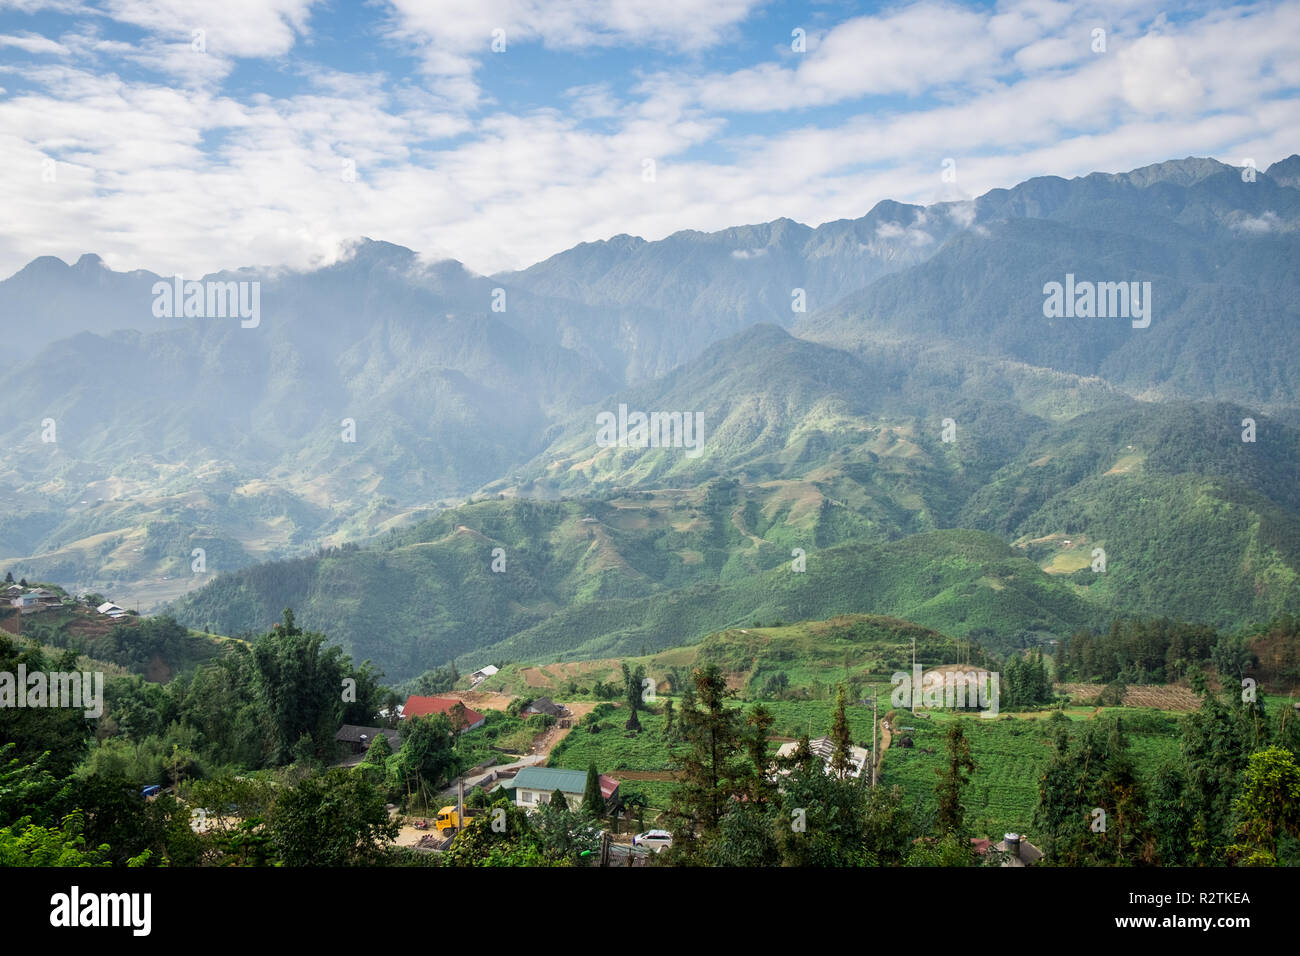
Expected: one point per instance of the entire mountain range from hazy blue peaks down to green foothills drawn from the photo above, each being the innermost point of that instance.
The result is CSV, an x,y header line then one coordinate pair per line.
x,y
886,396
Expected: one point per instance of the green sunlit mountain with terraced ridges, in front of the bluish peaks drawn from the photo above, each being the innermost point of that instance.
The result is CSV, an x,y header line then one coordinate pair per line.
x,y
842,458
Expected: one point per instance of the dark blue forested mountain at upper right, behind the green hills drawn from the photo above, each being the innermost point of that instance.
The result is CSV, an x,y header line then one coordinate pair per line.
x,y
1219,256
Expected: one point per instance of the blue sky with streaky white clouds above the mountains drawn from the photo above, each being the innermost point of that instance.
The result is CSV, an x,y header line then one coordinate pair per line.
x,y
189,137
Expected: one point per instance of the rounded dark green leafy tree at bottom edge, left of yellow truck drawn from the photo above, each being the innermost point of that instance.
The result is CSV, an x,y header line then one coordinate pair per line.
x,y
335,819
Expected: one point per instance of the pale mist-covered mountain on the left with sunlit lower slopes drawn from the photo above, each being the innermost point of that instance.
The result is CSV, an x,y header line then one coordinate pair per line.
x,y
240,432
